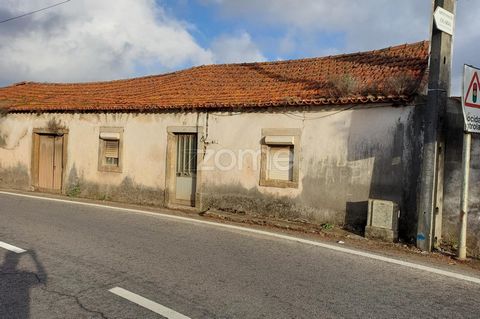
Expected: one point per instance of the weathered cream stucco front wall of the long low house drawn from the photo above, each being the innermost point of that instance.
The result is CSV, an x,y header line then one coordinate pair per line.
x,y
346,157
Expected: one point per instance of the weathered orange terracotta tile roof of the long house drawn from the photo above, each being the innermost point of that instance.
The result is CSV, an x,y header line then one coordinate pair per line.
x,y
391,74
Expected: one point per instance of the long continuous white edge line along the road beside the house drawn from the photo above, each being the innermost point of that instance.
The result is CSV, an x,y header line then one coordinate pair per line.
x,y
270,234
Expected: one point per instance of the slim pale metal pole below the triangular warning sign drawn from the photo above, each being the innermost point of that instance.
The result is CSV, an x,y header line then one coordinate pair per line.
x,y
462,240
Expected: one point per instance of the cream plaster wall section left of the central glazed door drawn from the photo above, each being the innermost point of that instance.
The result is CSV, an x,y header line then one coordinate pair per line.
x,y
143,178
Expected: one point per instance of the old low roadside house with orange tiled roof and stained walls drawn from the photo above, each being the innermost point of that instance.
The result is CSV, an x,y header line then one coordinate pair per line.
x,y
310,139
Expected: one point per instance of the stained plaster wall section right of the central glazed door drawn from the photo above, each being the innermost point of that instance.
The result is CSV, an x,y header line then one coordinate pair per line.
x,y
346,158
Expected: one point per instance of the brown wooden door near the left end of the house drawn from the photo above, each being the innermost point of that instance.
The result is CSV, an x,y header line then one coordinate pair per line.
x,y
50,162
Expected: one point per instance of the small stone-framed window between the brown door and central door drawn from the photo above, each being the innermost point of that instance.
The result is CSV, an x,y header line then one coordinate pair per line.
x,y
110,150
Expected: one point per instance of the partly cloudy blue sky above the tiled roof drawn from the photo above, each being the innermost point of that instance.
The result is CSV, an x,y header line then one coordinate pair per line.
x,y
96,40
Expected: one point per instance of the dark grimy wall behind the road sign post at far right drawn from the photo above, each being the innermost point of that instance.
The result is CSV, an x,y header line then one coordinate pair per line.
x,y
453,182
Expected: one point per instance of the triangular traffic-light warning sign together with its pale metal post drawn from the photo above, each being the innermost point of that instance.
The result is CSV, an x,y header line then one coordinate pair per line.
x,y
471,115
